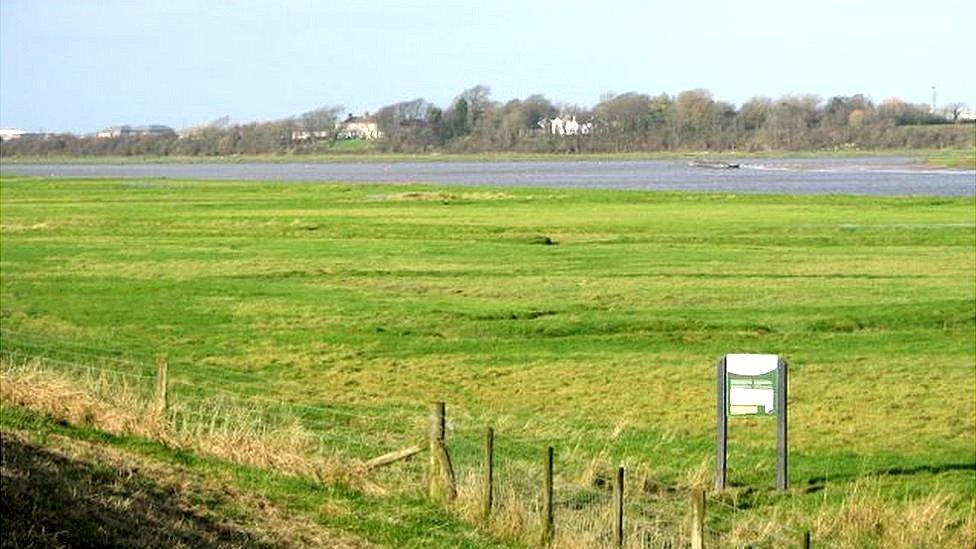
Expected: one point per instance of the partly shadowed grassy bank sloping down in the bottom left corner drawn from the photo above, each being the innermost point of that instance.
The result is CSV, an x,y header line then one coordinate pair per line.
x,y
79,486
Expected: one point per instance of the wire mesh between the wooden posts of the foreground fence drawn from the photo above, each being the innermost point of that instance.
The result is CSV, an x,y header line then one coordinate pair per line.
x,y
202,403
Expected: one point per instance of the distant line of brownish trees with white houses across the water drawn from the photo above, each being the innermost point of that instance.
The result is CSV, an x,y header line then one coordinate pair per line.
x,y
631,122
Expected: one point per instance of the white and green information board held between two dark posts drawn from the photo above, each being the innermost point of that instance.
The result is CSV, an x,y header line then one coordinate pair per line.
x,y
751,384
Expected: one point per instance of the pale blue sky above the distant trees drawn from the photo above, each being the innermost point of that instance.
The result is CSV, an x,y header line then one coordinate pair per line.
x,y
78,66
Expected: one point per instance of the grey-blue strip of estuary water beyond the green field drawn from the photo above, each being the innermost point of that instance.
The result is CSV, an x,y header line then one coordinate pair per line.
x,y
883,176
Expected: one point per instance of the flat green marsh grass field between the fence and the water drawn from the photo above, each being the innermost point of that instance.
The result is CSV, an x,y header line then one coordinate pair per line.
x,y
589,320
